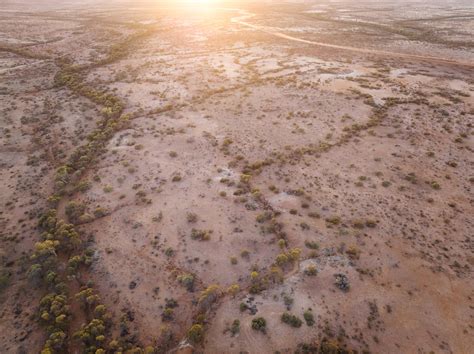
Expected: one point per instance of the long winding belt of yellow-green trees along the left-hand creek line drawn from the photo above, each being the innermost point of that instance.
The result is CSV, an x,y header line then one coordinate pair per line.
x,y
61,237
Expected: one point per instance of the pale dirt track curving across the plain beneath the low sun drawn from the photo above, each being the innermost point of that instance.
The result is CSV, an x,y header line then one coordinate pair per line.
x,y
244,15
